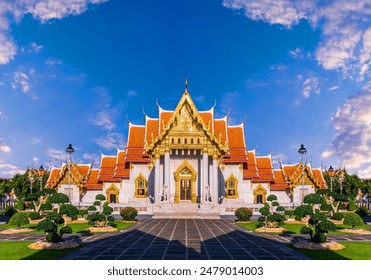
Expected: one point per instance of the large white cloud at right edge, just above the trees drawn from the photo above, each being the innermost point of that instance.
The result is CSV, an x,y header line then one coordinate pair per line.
x,y
352,141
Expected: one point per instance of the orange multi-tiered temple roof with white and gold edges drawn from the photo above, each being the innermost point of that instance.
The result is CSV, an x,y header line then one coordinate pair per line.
x,y
230,140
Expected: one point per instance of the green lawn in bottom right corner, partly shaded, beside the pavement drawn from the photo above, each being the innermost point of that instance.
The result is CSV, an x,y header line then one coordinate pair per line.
x,y
352,251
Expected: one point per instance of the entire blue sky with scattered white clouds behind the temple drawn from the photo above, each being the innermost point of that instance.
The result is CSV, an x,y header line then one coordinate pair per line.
x,y
70,72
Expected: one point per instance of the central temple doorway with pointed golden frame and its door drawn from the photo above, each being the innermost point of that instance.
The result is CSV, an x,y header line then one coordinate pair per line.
x,y
185,177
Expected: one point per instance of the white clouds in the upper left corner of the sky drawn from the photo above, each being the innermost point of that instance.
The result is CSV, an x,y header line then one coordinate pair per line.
x,y
43,10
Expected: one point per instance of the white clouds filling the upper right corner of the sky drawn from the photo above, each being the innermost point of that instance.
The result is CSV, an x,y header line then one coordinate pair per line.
x,y
346,37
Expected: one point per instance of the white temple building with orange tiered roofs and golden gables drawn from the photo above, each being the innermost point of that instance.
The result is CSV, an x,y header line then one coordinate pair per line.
x,y
186,162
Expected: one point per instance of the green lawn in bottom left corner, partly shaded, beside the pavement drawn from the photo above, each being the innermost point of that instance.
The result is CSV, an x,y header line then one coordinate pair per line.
x,y
17,250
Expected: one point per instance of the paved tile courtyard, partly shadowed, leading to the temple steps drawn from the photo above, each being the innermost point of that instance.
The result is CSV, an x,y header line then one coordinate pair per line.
x,y
175,239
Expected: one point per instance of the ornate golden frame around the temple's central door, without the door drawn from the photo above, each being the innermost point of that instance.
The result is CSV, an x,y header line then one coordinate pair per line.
x,y
179,176
